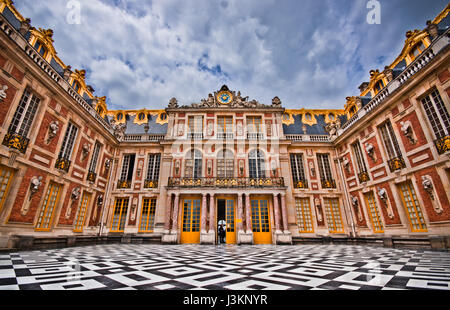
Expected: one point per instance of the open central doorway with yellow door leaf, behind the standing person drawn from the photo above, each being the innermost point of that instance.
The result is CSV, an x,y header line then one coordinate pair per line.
x,y
226,216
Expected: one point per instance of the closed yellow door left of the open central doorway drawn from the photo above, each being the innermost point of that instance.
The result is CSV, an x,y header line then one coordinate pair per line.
x,y
190,232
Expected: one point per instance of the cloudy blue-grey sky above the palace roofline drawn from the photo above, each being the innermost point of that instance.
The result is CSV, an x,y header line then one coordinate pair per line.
x,y
310,53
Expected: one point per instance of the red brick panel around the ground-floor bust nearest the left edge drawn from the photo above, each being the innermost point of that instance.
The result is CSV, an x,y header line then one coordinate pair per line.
x,y
21,197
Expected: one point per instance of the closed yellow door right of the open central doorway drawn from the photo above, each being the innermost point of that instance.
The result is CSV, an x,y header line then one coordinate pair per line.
x,y
261,221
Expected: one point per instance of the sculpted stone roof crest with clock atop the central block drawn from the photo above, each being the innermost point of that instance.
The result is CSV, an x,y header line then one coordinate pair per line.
x,y
226,98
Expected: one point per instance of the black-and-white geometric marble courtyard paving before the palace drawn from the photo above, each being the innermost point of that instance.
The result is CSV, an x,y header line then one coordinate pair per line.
x,y
157,267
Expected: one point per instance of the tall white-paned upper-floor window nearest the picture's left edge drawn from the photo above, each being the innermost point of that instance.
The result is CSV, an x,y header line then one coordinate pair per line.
x,y
24,115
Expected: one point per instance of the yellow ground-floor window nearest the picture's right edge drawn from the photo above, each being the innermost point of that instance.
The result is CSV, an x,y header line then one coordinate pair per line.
x,y
412,206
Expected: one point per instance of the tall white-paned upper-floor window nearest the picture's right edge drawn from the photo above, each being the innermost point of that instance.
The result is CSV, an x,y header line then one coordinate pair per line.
x,y
437,114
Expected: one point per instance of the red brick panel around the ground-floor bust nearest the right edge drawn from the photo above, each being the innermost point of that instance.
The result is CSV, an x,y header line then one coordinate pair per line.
x,y
439,191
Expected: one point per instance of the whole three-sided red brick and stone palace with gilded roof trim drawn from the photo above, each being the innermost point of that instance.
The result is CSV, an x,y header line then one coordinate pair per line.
x,y
71,168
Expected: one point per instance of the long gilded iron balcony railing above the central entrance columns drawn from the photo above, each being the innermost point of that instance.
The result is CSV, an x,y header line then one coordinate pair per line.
x,y
226,182
